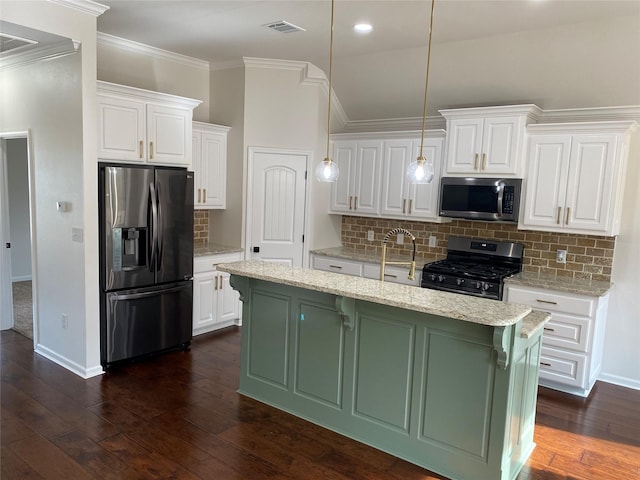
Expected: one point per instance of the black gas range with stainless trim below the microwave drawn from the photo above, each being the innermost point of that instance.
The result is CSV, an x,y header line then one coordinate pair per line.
x,y
474,267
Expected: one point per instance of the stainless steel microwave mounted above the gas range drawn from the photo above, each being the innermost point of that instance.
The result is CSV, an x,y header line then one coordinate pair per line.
x,y
493,199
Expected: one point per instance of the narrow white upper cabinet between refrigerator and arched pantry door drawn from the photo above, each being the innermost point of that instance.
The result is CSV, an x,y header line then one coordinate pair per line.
x,y
210,165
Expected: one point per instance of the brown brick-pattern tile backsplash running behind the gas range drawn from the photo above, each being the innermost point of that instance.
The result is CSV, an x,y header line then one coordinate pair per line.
x,y
588,256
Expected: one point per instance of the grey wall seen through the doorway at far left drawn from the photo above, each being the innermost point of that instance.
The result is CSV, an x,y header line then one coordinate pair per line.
x,y
19,220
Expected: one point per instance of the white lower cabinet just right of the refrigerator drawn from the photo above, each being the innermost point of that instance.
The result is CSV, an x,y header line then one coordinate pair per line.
x,y
215,303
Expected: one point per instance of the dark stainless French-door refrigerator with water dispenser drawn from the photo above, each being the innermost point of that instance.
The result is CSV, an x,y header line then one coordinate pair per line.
x,y
146,260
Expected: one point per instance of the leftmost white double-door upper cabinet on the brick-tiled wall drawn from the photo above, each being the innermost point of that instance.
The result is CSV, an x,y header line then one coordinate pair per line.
x,y
357,189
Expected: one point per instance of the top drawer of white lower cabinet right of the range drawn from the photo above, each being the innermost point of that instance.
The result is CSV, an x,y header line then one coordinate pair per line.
x,y
552,301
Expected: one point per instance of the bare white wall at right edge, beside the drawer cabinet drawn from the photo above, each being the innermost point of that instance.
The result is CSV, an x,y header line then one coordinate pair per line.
x,y
621,362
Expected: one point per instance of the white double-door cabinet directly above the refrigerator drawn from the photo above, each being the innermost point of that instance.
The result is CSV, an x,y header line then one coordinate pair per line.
x,y
136,125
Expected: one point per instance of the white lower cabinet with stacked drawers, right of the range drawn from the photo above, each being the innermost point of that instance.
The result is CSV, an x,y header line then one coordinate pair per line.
x,y
573,339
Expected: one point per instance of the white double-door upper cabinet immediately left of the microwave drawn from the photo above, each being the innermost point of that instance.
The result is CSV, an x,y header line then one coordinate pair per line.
x,y
404,200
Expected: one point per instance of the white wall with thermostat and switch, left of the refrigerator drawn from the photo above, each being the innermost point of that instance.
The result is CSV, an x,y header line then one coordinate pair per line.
x,y
55,100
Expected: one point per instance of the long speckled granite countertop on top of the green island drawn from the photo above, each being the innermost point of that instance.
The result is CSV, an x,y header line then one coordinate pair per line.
x,y
452,305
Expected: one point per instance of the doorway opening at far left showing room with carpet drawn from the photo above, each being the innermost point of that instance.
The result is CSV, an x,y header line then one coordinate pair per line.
x,y
16,282
